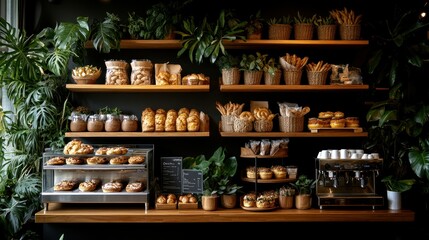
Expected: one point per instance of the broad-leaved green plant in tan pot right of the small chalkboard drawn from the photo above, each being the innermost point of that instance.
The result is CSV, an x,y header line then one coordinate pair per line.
x,y
216,171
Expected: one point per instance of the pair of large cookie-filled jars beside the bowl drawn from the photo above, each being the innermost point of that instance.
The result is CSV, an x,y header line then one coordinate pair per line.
x,y
141,72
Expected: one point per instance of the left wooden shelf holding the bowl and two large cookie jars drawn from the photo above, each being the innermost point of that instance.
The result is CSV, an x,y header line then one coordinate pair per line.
x,y
98,88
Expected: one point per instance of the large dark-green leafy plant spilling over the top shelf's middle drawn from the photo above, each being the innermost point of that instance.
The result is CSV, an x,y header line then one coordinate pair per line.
x,y
205,41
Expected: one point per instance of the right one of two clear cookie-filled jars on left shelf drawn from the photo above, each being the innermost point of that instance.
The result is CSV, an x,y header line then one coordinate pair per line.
x,y
141,72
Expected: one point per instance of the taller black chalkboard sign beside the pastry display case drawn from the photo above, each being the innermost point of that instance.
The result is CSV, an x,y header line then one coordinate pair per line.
x,y
171,174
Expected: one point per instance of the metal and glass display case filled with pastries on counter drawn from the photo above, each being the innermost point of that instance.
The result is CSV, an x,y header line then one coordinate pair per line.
x,y
104,175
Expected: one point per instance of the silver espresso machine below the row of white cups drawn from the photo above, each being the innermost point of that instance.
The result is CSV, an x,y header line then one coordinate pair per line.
x,y
348,182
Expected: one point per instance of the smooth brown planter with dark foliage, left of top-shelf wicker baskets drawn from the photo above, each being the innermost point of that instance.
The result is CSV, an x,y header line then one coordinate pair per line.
x,y
280,28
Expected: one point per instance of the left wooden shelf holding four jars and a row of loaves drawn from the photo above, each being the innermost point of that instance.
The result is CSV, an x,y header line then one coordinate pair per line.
x,y
136,134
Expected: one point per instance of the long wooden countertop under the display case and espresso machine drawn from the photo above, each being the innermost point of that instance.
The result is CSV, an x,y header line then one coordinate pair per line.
x,y
83,213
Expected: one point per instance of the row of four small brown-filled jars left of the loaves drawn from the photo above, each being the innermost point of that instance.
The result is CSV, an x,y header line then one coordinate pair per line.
x,y
100,123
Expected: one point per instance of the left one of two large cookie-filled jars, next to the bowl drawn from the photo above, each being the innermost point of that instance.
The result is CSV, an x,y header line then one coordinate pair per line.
x,y
116,72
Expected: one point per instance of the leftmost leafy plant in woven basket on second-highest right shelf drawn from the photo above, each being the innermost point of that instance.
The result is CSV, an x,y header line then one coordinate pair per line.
x,y
229,68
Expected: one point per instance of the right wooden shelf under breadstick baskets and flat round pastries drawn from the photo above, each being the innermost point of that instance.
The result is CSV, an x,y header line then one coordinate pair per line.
x,y
293,134
